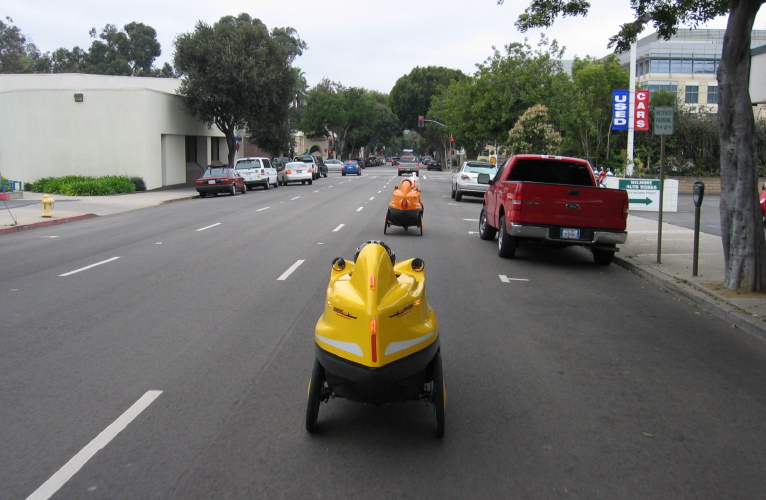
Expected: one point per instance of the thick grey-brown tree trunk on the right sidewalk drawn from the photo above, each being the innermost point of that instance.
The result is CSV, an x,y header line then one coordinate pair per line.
x,y
742,233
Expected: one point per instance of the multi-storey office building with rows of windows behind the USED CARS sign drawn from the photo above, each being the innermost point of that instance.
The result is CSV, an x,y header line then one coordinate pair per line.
x,y
686,64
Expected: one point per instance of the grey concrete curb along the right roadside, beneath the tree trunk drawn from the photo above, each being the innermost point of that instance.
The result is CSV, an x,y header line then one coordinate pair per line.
x,y
700,297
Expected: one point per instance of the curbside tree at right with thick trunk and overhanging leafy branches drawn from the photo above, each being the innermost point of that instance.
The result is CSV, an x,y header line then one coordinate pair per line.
x,y
742,235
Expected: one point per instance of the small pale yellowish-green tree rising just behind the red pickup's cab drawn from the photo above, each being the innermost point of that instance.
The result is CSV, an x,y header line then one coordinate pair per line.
x,y
533,133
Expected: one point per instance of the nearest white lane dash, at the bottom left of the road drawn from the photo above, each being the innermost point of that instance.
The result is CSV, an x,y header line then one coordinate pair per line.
x,y
57,480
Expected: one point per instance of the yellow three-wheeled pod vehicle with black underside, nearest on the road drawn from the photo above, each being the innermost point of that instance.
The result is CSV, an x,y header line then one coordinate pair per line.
x,y
377,341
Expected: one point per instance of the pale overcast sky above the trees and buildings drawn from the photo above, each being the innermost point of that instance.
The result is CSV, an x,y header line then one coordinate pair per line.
x,y
359,43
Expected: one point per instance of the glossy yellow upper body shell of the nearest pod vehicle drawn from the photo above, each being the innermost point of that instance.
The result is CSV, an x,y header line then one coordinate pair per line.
x,y
376,313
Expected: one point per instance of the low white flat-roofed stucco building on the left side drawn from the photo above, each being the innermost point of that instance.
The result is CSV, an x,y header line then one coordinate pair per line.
x,y
53,125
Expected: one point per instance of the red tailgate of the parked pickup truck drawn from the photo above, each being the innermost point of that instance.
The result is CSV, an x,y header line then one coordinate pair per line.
x,y
570,206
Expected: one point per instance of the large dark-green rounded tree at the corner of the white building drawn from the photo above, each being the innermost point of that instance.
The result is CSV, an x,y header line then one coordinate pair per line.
x,y
237,76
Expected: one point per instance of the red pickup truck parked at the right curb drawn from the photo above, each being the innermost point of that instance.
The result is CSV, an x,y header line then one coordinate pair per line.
x,y
554,199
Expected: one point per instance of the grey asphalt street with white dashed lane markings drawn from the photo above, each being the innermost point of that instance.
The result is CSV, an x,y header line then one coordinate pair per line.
x,y
564,379
